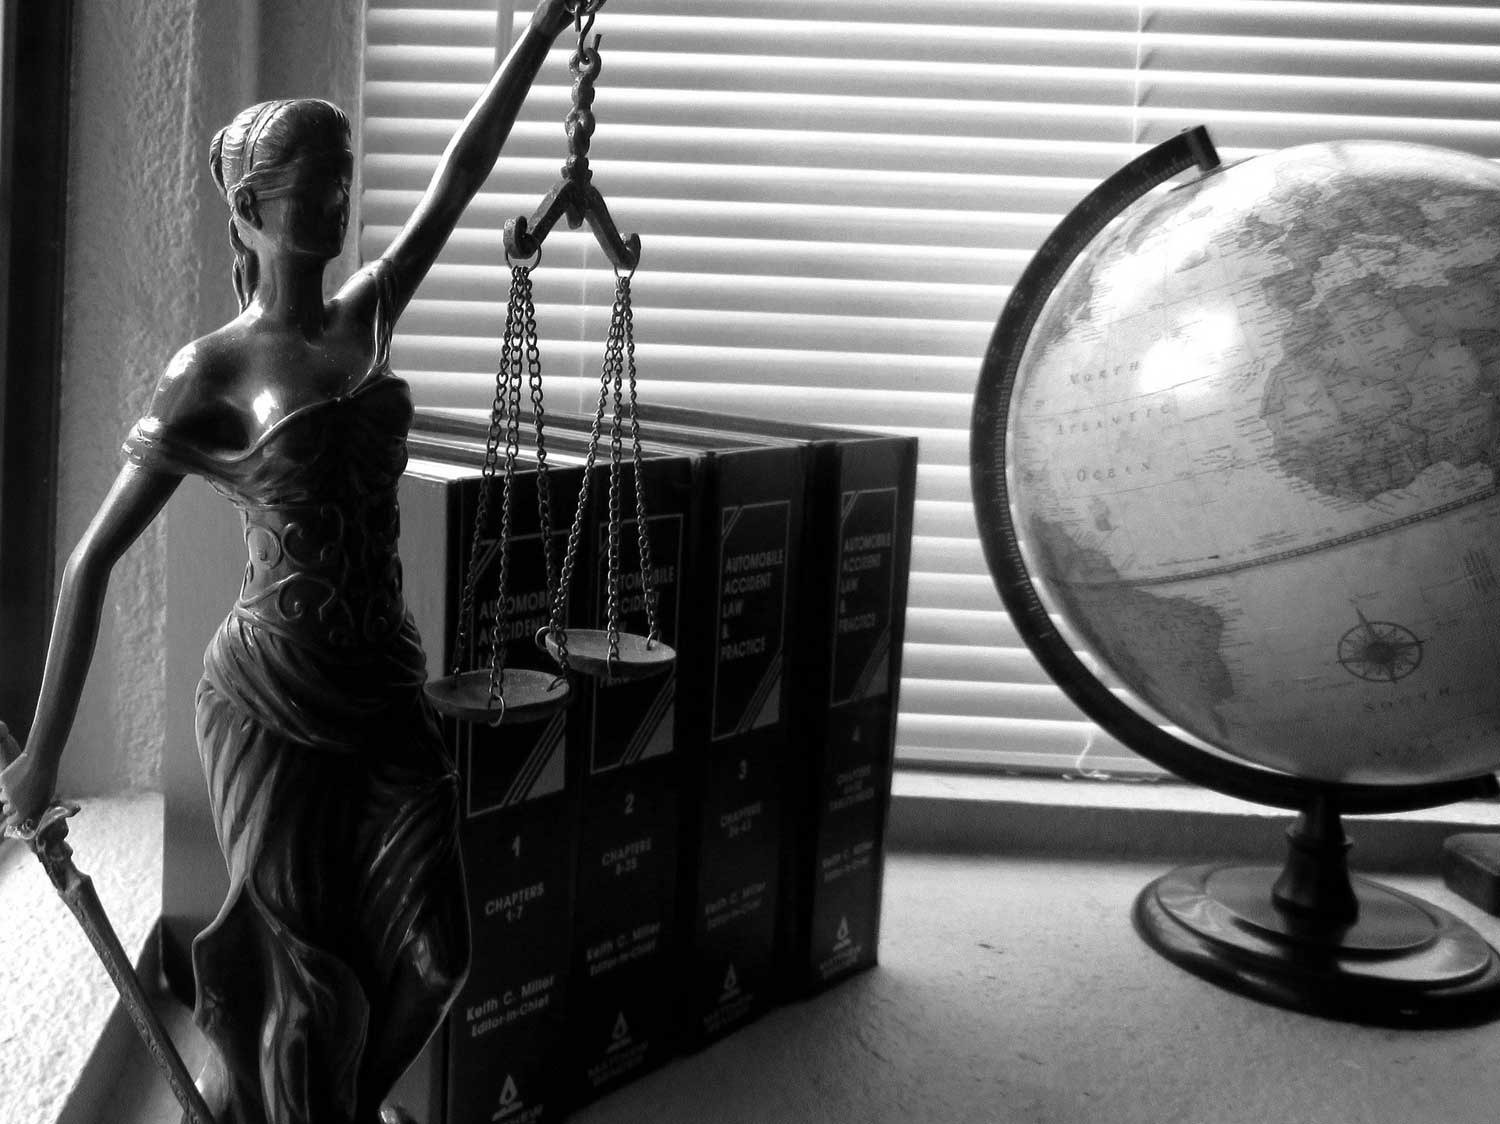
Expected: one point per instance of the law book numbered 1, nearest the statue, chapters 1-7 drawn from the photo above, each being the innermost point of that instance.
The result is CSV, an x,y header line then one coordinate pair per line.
x,y
496,1057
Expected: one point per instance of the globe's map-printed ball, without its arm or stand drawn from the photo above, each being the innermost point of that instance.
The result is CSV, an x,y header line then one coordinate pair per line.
x,y
1253,460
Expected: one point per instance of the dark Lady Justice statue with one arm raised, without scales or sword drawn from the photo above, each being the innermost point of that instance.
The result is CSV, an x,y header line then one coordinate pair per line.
x,y
344,937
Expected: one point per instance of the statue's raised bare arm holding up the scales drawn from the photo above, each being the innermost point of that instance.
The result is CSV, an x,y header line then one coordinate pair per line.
x,y
470,157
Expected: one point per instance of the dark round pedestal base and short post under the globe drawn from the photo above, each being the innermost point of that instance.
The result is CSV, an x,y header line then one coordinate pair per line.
x,y
1312,939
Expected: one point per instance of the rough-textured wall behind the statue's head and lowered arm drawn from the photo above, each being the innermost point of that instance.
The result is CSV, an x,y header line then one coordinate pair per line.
x,y
148,272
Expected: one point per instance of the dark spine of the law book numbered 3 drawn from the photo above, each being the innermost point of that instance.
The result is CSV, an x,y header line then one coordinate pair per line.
x,y
734,723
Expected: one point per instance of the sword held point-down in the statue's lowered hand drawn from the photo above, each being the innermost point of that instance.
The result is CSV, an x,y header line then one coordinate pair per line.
x,y
49,841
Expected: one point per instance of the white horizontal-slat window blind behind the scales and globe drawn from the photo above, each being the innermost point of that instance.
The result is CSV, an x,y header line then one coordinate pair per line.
x,y
835,202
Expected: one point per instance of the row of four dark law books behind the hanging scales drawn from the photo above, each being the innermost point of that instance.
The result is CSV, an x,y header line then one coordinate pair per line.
x,y
668,858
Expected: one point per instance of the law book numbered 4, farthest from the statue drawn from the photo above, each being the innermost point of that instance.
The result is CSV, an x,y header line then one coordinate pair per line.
x,y
851,627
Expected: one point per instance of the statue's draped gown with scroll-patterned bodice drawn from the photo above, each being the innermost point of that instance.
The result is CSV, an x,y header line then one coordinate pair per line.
x,y
335,804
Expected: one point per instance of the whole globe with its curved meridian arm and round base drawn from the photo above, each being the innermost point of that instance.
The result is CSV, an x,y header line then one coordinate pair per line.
x,y
1235,469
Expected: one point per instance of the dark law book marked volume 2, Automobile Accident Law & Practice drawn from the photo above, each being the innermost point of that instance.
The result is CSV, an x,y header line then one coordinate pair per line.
x,y
626,769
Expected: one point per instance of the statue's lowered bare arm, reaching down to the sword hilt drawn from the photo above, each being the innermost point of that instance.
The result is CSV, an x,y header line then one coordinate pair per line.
x,y
136,499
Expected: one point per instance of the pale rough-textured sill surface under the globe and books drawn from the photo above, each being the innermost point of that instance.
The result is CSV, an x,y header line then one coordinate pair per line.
x,y
1009,973
